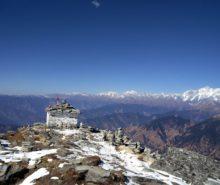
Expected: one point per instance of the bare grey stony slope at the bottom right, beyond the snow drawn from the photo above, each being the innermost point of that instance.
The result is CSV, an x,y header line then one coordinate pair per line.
x,y
191,166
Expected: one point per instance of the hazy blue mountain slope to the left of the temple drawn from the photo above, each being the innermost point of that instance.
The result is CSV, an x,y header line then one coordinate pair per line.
x,y
22,109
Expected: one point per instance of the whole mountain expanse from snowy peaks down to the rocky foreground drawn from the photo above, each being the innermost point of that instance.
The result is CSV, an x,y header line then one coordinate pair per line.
x,y
189,120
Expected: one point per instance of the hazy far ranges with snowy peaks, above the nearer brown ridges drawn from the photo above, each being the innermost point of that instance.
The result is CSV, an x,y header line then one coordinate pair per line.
x,y
196,105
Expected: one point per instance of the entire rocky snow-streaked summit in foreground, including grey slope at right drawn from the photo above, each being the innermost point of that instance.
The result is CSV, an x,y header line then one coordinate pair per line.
x,y
86,155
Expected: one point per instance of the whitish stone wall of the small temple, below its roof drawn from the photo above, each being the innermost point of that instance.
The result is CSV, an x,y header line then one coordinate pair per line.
x,y
62,122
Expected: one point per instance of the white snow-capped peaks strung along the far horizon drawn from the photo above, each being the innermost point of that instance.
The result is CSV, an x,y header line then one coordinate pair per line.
x,y
190,96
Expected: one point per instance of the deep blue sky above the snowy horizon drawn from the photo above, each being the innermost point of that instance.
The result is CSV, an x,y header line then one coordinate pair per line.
x,y
72,46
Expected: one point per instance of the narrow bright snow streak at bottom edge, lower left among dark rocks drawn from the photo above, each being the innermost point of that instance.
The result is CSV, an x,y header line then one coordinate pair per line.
x,y
34,176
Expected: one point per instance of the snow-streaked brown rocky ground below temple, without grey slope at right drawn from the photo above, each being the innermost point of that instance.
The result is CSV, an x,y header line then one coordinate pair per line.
x,y
76,156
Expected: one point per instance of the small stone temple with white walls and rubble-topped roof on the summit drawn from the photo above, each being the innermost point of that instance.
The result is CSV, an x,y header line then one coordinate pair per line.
x,y
62,115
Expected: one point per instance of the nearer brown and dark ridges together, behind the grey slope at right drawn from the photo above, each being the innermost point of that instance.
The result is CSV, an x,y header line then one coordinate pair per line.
x,y
203,137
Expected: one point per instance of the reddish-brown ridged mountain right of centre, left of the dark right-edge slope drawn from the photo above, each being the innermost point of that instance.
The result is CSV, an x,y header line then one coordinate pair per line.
x,y
159,133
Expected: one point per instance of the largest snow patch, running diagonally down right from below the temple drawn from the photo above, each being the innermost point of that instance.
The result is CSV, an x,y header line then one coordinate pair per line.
x,y
116,160
